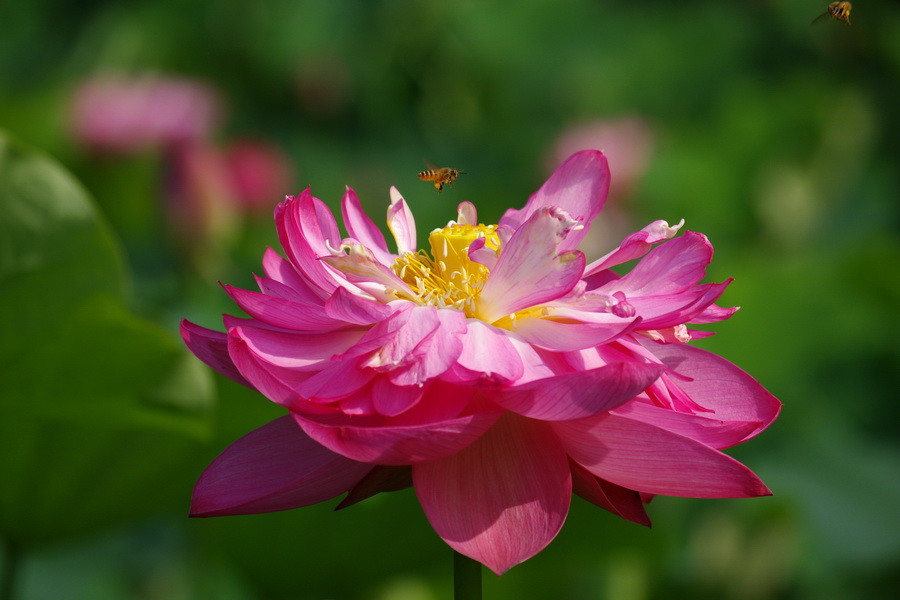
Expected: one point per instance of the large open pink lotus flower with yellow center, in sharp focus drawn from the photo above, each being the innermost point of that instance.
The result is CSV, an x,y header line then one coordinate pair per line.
x,y
497,374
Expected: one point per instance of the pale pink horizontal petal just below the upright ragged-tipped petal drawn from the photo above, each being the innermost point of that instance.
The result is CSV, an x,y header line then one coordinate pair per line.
x,y
562,337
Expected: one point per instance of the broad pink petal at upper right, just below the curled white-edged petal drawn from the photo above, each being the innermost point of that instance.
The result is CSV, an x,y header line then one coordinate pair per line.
x,y
667,269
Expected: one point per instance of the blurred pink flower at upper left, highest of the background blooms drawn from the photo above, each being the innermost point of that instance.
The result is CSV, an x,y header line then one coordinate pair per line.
x,y
120,114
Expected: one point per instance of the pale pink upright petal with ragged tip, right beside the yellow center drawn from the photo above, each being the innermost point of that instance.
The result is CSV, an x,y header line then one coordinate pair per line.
x,y
531,270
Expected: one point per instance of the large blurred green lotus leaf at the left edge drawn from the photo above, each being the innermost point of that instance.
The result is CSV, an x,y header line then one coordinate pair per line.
x,y
99,409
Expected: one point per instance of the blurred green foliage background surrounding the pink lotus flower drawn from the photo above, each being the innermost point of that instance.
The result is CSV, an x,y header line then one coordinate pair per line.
x,y
777,139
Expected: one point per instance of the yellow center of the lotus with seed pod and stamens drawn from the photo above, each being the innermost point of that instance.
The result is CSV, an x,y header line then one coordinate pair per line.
x,y
447,278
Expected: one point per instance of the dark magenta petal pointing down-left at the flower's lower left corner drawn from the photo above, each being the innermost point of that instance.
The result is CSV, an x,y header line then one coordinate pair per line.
x,y
275,467
